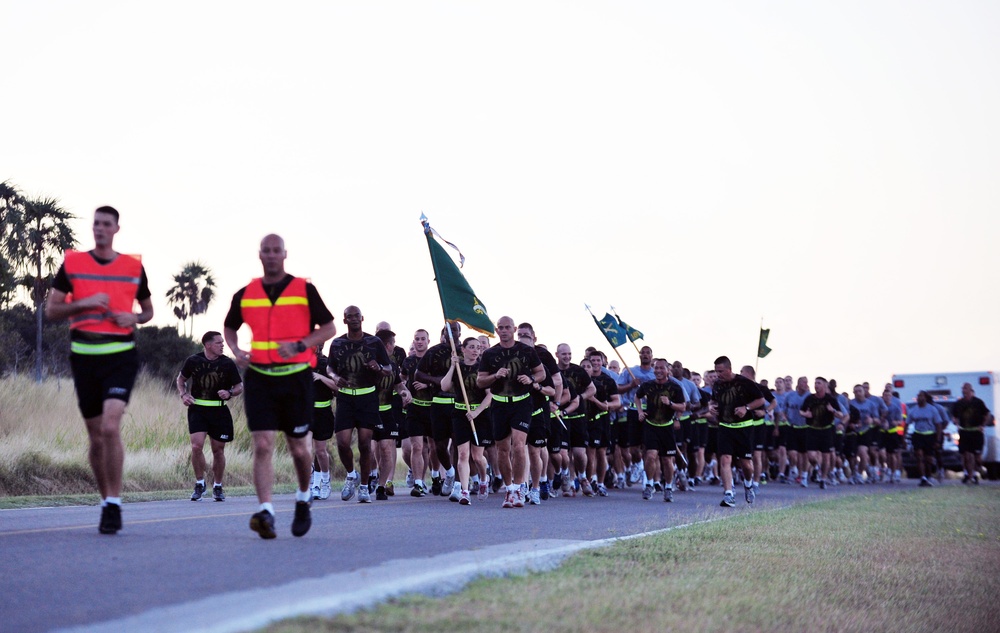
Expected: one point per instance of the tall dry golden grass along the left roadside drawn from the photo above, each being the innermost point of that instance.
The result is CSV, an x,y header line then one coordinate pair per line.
x,y
43,442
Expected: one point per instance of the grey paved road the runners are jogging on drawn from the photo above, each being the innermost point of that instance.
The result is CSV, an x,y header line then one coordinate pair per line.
x,y
59,572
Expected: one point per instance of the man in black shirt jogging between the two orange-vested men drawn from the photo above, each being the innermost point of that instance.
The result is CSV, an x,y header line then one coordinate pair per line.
x,y
214,379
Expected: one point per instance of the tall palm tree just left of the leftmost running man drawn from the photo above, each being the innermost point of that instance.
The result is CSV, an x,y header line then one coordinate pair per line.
x,y
46,236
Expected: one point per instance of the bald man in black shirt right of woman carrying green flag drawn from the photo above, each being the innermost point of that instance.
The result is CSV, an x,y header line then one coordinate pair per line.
x,y
508,369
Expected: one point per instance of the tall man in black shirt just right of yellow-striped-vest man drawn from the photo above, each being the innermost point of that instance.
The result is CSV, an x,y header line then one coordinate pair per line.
x,y
358,361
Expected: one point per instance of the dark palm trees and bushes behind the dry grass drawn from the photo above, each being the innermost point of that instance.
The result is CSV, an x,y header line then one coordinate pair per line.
x,y
35,233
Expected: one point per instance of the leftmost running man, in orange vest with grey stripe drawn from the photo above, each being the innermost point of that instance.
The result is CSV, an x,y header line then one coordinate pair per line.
x,y
97,291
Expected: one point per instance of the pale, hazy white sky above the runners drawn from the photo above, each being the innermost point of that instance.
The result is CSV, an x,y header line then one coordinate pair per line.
x,y
831,167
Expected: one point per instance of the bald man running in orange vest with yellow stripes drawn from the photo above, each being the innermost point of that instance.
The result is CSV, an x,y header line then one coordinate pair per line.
x,y
288,320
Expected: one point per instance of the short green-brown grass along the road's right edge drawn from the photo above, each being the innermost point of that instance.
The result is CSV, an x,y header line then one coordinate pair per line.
x,y
925,560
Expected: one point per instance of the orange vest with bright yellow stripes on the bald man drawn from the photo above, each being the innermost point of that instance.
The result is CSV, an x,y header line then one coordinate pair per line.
x,y
284,321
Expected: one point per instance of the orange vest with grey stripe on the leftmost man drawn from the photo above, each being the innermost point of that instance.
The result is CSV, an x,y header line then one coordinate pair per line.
x,y
119,279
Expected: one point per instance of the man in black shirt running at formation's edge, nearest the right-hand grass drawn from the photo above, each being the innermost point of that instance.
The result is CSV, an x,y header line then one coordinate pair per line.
x,y
734,398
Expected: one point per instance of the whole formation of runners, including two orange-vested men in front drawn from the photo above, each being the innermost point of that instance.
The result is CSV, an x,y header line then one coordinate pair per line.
x,y
509,417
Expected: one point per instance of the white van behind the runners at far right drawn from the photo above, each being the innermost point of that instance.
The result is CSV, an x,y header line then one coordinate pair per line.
x,y
945,388
